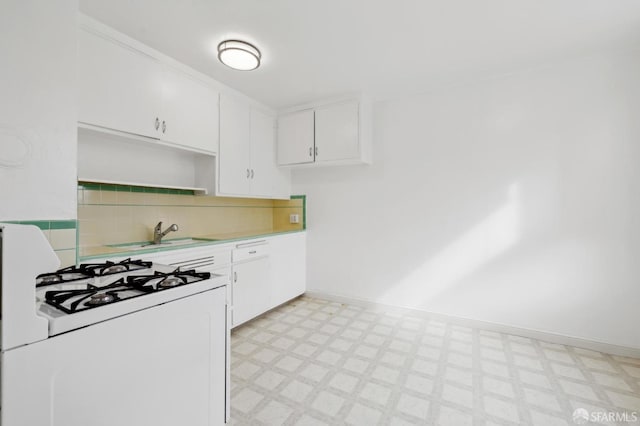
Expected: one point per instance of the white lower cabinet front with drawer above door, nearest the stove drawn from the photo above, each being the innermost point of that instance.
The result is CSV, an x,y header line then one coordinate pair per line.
x,y
251,275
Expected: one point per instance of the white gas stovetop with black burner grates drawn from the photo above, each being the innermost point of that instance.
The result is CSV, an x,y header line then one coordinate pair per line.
x,y
78,296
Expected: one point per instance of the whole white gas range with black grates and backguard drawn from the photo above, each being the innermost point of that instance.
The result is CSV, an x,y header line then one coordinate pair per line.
x,y
115,343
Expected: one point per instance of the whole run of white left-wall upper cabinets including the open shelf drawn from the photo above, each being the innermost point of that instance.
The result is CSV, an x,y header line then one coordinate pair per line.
x,y
166,112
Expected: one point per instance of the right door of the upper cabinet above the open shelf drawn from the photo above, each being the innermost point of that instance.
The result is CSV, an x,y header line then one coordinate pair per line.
x,y
189,112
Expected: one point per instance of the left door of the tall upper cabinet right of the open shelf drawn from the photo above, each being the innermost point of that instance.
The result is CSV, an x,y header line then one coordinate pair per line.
x,y
235,147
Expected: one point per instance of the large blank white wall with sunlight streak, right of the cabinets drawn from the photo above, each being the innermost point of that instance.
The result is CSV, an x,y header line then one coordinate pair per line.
x,y
515,201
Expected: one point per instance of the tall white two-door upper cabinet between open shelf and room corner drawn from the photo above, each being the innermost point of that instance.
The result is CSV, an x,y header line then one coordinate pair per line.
x,y
247,164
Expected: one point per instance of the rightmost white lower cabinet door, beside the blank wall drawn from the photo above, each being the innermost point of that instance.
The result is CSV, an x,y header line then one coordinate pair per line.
x,y
288,267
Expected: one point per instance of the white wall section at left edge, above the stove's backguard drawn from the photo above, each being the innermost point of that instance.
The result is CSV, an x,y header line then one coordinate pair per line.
x,y
38,119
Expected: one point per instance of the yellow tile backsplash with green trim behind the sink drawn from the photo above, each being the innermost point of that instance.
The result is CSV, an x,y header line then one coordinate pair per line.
x,y
116,214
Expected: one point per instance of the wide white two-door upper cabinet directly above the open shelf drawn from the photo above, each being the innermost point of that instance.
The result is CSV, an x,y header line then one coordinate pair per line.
x,y
126,90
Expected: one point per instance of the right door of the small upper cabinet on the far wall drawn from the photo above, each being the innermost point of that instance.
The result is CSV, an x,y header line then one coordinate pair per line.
x,y
336,129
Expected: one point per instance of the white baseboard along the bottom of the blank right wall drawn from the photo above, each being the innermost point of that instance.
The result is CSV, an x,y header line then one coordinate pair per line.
x,y
545,336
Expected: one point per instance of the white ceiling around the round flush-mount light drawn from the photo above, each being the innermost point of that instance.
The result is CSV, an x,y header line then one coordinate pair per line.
x,y
325,48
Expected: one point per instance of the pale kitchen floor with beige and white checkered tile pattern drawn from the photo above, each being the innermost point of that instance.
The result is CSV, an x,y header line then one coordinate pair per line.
x,y
316,362
